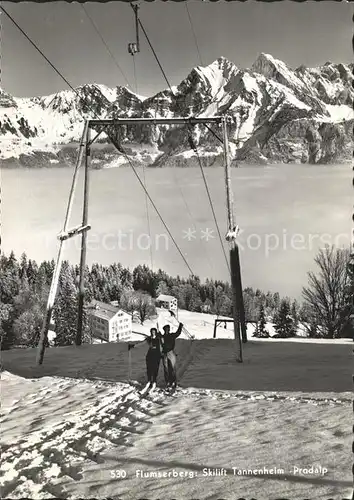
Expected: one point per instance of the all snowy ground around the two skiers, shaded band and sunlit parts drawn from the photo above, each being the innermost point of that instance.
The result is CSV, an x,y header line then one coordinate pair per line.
x,y
72,425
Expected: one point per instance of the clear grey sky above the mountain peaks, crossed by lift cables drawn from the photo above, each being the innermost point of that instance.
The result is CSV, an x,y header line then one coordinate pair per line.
x,y
309,33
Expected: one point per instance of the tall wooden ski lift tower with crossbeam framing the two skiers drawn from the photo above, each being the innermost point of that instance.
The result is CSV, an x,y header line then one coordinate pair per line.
x,y
111,127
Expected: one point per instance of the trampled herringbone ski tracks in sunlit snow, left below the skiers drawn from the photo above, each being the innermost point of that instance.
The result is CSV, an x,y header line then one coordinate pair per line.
x,y
38,462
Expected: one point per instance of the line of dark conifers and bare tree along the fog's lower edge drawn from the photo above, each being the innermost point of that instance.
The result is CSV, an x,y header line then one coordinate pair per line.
x,y
326,310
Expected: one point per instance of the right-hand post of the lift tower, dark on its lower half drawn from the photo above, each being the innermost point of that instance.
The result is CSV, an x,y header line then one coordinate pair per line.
x,y
234,254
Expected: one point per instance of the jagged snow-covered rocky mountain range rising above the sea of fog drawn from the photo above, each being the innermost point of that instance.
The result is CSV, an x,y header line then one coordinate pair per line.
x,y
276,114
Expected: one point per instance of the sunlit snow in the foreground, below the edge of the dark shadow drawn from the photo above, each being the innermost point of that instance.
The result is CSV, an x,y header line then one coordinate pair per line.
x,y
75,438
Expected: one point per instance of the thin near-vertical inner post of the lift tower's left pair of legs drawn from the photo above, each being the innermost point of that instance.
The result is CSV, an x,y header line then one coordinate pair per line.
x,y
78,338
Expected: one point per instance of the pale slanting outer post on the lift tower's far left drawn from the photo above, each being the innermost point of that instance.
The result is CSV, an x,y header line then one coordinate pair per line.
x,y
55,279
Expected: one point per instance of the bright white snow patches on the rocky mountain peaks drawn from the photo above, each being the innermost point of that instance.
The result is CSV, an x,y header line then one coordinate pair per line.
x,y
61,123
